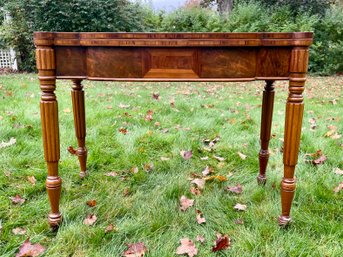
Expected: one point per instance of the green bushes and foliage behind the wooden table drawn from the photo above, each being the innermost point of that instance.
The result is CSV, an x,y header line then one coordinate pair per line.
x,y
324,17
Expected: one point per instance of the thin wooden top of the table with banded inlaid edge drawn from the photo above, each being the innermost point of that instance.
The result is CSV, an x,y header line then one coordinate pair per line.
x,y
128,39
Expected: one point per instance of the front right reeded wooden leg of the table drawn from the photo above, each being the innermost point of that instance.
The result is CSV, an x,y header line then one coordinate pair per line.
x,y
293,123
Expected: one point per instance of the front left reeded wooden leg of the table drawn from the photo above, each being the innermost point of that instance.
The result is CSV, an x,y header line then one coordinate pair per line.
x,y
50,131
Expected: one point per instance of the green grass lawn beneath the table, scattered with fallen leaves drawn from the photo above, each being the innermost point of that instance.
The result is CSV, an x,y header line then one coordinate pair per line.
x,y
144,206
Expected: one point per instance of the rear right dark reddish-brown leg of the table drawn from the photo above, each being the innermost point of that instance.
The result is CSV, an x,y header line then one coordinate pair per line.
x,y
266,124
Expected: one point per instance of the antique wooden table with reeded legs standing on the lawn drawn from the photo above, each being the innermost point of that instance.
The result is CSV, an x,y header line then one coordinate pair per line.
x,y
172,57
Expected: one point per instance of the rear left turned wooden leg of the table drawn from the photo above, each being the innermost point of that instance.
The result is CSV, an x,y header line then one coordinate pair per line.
x,y
78,99
